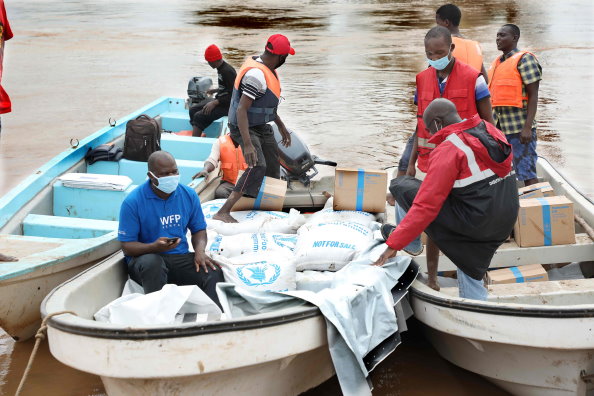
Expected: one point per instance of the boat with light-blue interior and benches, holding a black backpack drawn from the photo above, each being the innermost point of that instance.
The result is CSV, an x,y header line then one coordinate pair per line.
x,y
57,231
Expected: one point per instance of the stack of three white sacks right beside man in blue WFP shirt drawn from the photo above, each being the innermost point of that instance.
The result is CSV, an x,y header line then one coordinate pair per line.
x,y
256,252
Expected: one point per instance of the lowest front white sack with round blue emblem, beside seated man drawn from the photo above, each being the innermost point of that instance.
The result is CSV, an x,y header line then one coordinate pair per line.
x,y
272,271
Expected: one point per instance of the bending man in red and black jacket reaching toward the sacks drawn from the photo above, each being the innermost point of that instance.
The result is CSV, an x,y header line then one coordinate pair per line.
x,y
468,202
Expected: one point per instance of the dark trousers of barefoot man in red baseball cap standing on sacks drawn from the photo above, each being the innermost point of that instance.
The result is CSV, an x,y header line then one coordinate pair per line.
x,y
263,140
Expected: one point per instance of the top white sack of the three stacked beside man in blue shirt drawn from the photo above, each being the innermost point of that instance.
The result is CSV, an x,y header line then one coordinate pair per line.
x,y
252,221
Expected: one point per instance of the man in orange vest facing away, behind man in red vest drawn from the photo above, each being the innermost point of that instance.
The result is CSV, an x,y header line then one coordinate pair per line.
x,y
467,51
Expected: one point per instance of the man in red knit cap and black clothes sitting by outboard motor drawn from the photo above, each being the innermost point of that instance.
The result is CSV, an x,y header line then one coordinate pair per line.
x,y
204,113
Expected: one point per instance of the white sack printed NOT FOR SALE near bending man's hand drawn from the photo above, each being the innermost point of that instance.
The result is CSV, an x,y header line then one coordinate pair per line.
x,y
331,239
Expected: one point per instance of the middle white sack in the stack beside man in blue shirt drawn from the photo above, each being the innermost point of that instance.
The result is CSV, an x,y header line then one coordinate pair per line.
x,y
236,245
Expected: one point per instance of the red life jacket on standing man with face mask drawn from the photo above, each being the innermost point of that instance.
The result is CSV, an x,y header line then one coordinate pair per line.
x,y
460,89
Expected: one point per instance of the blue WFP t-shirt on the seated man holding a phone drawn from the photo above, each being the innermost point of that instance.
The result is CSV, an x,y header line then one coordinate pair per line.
x,y
144,216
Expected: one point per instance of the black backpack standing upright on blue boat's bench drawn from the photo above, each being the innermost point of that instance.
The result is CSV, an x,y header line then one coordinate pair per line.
x,y
143,138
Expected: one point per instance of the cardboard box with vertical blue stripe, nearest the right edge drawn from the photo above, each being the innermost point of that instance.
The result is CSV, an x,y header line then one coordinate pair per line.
x,y
544,222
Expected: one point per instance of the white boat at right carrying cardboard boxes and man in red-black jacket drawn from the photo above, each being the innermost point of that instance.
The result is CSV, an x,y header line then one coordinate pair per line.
x,y
529,338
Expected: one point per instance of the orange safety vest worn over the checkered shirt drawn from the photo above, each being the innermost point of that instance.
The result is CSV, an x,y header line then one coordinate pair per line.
x,y
505,81
